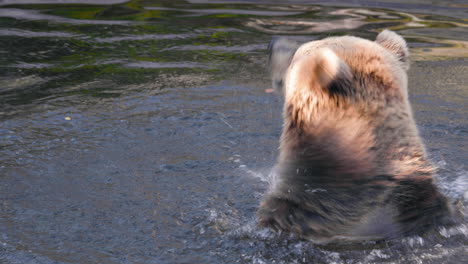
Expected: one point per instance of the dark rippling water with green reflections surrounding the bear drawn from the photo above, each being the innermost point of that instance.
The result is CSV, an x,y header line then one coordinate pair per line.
x,y
141,132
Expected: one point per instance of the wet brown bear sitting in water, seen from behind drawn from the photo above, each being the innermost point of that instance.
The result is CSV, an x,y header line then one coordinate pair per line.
x,y
351,165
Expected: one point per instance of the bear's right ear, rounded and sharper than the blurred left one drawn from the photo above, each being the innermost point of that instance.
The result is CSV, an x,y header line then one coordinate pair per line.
x,y
396,45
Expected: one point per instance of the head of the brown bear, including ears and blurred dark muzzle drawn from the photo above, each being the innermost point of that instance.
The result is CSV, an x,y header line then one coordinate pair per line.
x,y
341,64
